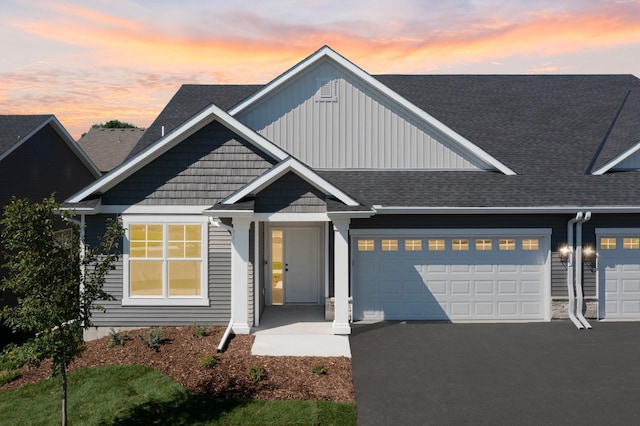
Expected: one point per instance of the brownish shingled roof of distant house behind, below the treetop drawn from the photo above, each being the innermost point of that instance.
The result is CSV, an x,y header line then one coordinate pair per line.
x,y
107,147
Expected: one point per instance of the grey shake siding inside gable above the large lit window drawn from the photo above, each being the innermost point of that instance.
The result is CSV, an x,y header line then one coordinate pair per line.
x,y
201,170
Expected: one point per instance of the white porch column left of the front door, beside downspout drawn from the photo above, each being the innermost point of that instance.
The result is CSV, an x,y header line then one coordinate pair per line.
x,y
240,275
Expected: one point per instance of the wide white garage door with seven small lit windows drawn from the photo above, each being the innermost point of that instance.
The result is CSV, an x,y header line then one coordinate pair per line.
x,y
460,276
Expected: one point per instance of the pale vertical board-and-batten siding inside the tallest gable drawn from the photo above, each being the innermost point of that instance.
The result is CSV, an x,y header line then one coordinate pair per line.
x,y
360,128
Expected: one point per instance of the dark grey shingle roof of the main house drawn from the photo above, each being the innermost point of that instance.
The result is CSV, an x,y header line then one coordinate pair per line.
x,y
548,128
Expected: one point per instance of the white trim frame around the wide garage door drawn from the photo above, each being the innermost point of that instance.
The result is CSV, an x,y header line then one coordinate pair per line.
x,y
543,234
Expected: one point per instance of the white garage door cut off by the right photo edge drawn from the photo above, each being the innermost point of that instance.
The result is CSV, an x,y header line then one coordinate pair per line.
x,y
619,274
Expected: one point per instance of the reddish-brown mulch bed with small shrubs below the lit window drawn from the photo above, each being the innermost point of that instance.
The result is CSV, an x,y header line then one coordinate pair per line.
x,y
285,377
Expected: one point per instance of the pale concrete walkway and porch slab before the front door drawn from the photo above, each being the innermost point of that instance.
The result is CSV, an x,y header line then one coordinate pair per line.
x,y
297,331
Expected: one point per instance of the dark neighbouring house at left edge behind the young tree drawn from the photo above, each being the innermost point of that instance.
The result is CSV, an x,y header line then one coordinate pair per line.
x,y
39,157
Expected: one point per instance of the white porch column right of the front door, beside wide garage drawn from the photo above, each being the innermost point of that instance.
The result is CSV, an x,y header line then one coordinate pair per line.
x,y
341,276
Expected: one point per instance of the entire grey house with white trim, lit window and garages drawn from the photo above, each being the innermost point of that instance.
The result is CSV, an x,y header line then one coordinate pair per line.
x,y
413,197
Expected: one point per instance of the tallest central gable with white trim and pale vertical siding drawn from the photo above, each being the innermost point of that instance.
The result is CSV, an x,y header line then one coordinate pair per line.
x,y
441,147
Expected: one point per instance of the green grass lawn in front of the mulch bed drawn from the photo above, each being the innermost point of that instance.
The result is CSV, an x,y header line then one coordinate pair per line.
x,y
135,395
